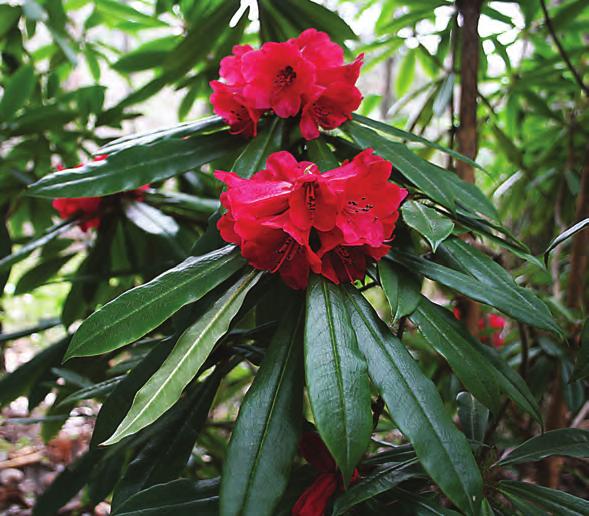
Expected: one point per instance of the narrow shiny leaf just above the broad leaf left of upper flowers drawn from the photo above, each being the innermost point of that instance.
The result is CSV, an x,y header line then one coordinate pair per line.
x,y
177,131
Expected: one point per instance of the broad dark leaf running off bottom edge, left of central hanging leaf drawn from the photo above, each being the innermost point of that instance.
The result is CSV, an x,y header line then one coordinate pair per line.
x,y
264,440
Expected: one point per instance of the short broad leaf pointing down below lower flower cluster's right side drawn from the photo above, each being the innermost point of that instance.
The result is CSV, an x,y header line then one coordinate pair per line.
x,y
401,288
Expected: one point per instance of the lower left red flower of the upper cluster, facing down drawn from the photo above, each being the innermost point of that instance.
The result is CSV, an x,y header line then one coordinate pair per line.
x,y
230,105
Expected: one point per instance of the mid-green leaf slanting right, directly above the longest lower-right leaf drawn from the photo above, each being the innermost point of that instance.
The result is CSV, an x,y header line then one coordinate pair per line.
x,y
470,366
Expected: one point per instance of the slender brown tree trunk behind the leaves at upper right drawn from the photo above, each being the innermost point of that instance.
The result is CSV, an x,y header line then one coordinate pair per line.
x,y
467,135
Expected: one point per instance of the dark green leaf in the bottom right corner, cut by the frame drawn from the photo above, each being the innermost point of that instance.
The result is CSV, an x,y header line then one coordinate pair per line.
x,y
557,502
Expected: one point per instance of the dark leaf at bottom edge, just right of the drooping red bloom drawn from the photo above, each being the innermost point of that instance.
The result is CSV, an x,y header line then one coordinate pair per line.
x,y
381,481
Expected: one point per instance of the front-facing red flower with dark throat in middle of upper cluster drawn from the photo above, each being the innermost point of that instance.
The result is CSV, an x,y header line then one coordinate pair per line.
x,y
277,77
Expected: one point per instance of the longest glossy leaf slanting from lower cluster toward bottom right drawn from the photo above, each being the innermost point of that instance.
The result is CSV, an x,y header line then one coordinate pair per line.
x,y
416,407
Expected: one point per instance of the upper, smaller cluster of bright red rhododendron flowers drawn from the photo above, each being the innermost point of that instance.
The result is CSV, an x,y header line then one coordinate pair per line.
x,y
306,74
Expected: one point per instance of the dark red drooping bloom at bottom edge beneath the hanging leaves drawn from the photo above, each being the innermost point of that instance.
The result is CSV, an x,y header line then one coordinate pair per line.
x,y
314,499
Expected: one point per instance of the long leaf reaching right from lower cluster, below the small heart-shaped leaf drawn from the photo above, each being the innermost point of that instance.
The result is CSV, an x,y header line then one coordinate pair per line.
x,y
513,304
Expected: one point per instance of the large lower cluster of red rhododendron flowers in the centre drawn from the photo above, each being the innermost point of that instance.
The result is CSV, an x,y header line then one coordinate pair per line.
x,y
290,218
